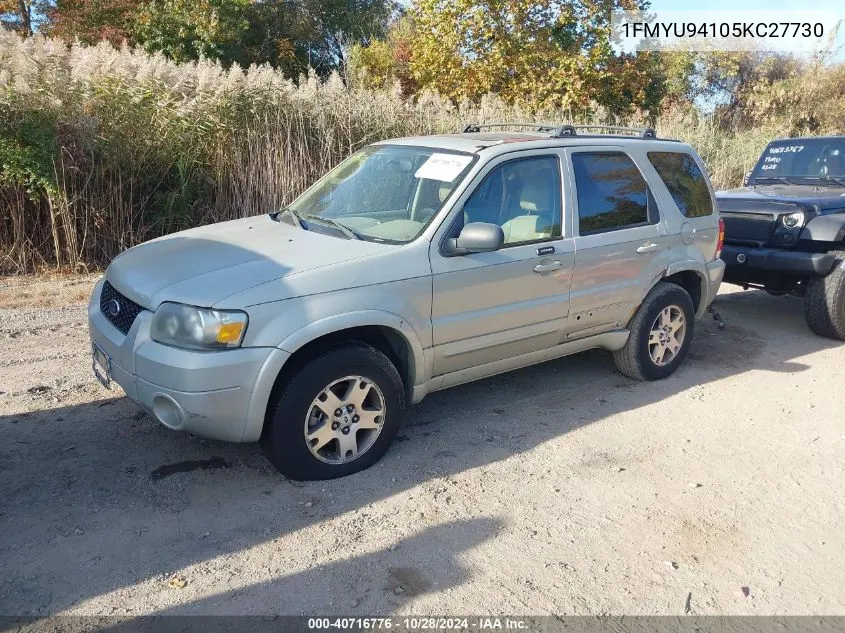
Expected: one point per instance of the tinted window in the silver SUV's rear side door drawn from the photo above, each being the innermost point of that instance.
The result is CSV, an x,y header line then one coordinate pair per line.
x,y
612,193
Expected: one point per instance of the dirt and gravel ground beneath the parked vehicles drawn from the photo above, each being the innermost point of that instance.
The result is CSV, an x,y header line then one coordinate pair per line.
x,y
561,488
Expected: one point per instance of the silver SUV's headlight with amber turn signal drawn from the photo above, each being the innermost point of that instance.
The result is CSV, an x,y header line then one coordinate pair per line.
x,y
198,328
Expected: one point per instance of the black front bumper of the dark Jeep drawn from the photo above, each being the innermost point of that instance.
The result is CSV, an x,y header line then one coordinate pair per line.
x,y
743,260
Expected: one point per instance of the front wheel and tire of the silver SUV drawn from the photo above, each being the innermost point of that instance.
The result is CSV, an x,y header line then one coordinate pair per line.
x,y
337,415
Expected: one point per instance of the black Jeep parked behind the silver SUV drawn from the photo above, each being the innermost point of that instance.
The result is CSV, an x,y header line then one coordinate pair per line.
x,y
785,228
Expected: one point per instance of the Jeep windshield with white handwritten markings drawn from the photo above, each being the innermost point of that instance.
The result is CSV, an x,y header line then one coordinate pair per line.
x,y
802,161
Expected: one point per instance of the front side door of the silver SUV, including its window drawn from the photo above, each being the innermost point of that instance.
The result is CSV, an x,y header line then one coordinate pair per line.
x,y
491,306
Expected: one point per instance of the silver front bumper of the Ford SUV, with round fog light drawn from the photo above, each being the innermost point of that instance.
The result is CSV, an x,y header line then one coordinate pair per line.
x,y
216,394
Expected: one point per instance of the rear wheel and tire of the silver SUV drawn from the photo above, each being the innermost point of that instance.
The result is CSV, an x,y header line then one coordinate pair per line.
x,y
641,357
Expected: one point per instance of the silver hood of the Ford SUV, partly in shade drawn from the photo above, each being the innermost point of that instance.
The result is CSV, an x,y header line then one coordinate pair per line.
x,y
205,265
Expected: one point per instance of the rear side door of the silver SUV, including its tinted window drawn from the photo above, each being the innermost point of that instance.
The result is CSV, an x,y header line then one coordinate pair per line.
x,y
621,241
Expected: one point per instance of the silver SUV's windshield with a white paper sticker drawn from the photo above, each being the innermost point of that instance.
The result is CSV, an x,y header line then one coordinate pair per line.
x,y
385,193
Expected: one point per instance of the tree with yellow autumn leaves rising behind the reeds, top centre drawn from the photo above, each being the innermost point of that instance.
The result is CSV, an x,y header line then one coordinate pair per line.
x,y
544,53
